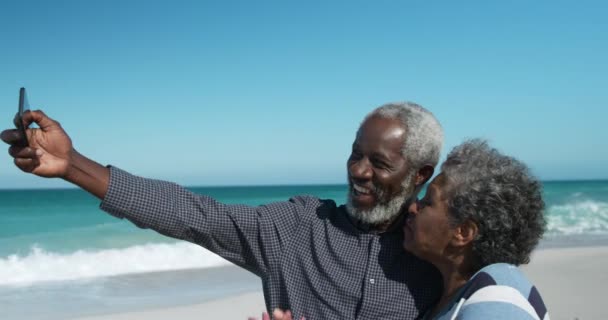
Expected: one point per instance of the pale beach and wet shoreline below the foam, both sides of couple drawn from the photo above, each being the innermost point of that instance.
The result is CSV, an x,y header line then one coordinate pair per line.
x,y
570,276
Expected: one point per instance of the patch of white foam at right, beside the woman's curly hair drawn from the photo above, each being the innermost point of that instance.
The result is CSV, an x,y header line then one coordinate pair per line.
x,y
578,218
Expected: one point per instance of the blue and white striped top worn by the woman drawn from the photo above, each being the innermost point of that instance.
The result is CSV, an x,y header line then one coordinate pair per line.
x,y
497,291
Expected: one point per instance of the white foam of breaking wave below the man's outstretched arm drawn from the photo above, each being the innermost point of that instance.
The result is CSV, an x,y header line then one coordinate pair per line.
x,y
40,265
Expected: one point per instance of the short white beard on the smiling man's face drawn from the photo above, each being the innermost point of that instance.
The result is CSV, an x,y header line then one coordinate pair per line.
x,y
382,212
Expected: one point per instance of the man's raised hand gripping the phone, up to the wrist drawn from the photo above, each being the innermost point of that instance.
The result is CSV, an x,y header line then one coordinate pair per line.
x,y
50,149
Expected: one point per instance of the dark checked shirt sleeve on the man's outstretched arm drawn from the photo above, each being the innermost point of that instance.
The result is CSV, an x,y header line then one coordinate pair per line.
x,y
251,237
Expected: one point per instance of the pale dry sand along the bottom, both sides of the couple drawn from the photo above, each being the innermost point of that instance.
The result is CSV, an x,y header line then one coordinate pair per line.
x,y
571,280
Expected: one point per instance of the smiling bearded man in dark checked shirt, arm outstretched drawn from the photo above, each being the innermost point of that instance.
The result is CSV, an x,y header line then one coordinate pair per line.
x,y
314,257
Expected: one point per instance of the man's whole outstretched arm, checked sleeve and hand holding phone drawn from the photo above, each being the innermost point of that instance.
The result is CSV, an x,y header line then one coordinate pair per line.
x,y
251,237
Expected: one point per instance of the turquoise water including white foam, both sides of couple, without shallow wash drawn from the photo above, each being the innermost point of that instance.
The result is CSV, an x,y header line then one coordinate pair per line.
x,y
64,230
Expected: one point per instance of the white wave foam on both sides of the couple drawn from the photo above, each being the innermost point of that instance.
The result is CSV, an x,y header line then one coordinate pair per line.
x,y
578,217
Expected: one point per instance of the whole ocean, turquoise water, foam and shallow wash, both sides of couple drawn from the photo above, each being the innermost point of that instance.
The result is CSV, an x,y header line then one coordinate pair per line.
x,y
62,257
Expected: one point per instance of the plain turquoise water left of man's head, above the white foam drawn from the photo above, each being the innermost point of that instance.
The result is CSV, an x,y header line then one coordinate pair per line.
x,y
64,221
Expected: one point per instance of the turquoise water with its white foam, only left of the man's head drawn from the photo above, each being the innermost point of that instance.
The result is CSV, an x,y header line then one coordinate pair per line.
x,y
58,235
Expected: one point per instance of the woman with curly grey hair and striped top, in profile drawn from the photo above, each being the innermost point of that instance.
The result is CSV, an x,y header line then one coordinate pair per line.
x,y
480,218
